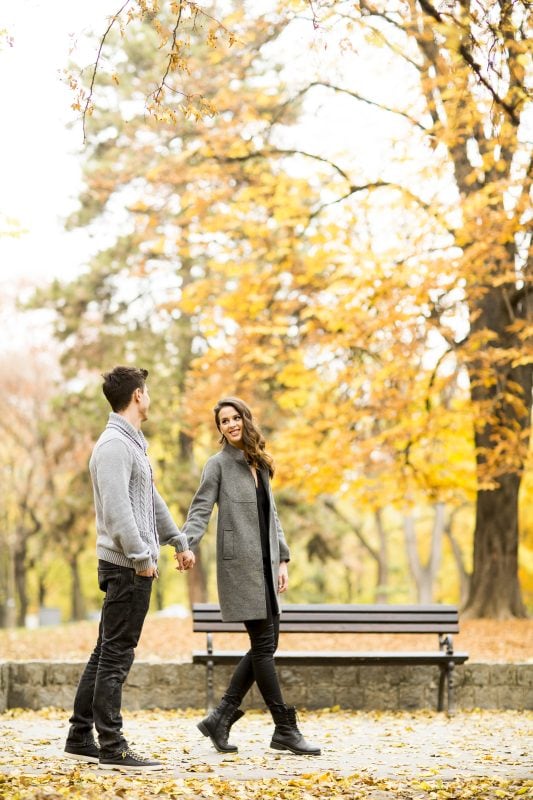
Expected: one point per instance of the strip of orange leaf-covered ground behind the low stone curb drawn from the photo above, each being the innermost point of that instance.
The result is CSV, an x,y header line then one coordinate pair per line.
x,y
173,639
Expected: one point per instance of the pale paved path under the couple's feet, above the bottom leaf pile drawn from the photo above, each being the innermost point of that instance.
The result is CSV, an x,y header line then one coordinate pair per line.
x,y
398,746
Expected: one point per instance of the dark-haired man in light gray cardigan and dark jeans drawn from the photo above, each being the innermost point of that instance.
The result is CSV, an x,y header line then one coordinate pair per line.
x,y
131,521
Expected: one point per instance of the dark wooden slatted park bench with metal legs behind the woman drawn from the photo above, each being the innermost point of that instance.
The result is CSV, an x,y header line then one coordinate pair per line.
x,y
442,620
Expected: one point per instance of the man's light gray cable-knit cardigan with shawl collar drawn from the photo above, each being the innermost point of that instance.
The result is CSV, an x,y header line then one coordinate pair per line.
x,y
131,517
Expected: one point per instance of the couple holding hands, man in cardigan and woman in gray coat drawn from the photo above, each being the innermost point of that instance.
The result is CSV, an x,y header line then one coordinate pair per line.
x,y
132,520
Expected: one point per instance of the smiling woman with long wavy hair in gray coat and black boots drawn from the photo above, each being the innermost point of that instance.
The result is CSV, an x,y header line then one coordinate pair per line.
x,y
252,558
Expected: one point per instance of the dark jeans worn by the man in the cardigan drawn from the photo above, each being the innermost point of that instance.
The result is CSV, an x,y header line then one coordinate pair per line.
x,y
99,695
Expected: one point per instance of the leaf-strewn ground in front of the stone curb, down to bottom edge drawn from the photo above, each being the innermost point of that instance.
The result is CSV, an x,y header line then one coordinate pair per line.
x,y
412,756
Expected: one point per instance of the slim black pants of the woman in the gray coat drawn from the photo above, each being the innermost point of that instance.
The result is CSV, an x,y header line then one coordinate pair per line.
x,y
258,663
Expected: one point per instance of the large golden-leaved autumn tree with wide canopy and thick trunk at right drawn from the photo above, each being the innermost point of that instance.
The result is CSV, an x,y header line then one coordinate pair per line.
x,y
349,298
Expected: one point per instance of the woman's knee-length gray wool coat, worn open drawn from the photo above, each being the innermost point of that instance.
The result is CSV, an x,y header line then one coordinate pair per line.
x,y
228,481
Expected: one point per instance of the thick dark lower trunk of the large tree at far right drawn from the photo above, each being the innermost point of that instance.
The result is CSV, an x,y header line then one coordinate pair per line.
x,y
495,587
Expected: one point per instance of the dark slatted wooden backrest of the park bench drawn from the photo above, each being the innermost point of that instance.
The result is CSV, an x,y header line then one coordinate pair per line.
x,y
343,619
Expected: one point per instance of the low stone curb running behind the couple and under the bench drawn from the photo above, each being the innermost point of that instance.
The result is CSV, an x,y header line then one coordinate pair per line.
x,y
175,685
